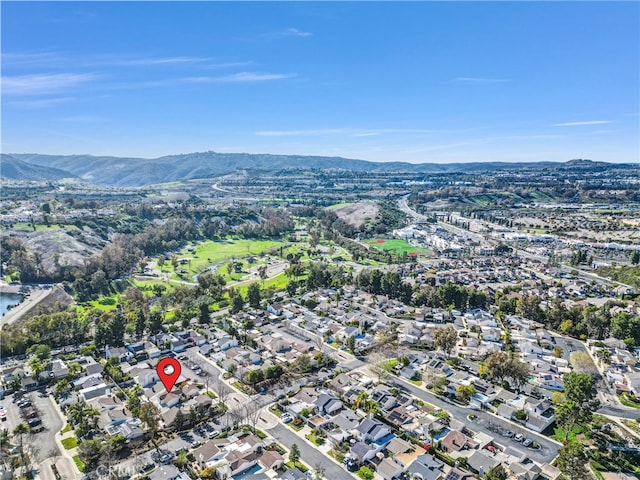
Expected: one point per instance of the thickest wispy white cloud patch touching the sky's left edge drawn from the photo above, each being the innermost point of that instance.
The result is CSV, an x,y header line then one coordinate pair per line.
x,y
40,84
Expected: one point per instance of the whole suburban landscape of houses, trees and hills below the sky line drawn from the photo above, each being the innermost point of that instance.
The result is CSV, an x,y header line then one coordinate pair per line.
x,y
334,321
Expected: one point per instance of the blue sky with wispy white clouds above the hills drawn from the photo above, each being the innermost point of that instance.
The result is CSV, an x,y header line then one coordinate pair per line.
x,y
417,82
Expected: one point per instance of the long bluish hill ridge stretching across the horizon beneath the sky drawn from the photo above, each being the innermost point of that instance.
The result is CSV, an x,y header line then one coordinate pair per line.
x,y
126,172
